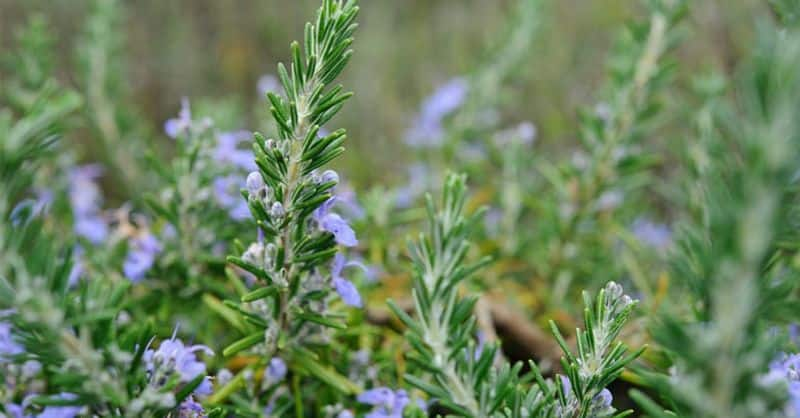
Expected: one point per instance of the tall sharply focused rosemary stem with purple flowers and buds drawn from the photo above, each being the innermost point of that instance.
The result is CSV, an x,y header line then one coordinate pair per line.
x,y
295,263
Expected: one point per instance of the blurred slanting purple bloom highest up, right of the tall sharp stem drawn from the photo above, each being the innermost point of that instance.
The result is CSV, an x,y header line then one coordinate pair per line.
x,y
427,129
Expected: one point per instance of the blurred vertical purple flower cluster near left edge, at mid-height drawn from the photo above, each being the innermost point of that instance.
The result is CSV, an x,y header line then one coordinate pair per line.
x,y
86,201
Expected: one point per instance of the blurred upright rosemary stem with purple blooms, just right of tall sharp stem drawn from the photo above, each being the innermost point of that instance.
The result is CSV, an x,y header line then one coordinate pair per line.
x,y
460,125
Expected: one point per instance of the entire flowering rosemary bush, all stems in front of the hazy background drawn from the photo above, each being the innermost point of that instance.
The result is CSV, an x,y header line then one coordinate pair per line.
x,y
118,296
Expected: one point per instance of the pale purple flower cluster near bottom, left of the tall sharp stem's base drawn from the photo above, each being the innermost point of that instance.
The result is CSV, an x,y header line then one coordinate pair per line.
x,y
173,356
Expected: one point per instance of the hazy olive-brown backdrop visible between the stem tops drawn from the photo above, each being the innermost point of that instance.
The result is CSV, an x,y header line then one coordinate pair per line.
x,y
404,49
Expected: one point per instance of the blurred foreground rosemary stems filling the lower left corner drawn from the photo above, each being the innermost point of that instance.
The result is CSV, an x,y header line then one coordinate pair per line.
x,y
64,350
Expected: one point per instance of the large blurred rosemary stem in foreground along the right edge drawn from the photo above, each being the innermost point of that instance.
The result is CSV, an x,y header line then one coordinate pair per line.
x,y
736,279
